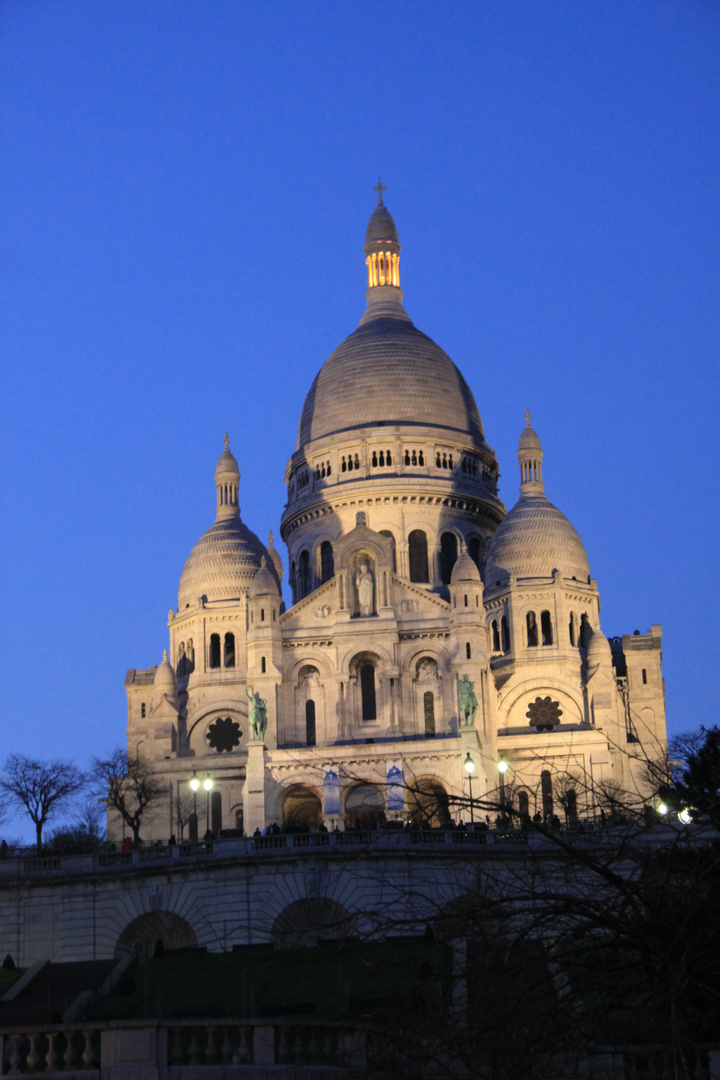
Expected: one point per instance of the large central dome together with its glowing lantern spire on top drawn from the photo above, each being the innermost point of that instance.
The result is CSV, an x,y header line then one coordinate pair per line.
x,y
388,372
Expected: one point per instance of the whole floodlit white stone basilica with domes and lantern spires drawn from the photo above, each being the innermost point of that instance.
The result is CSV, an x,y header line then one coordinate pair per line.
x,y
407,576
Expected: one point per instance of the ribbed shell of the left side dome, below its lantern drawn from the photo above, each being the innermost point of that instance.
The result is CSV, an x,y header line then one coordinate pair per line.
x,y
223,564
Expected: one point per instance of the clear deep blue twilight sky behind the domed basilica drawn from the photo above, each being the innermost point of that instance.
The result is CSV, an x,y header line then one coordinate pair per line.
x,y
185,190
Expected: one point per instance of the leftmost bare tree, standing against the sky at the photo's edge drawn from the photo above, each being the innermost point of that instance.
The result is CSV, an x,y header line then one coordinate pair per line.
x,y
43,789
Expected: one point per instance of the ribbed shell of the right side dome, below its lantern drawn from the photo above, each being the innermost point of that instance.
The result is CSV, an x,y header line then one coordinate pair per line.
x,y
535,539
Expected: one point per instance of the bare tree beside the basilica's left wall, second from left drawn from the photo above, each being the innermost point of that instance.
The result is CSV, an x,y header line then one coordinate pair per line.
x,y
129,786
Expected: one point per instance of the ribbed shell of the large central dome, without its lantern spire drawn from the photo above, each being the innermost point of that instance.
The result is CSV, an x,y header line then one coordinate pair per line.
x,y
388,372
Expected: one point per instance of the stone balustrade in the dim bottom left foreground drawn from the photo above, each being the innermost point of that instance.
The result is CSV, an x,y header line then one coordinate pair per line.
x,y
176,1049
